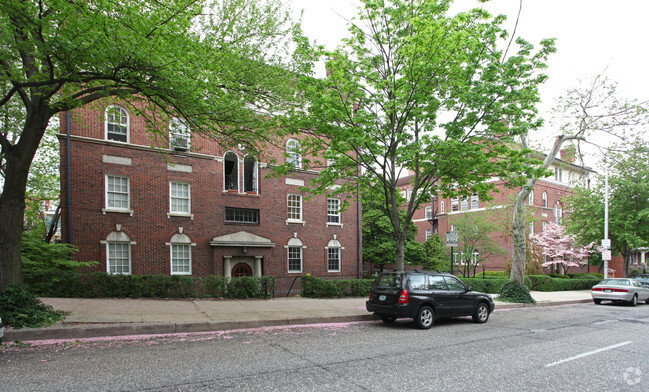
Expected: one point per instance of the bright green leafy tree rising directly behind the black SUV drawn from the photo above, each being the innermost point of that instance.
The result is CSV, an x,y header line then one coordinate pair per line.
x,y
417,88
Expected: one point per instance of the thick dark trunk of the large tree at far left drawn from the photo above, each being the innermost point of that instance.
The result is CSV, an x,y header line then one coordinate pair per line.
x,y
18,159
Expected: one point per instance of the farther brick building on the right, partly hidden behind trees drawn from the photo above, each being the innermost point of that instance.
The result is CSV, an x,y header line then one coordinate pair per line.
x,y
546,201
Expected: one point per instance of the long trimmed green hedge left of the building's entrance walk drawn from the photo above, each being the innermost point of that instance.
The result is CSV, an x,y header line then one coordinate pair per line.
x,y
102,285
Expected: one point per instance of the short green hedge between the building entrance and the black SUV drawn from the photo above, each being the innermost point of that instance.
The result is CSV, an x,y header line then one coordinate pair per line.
x,y
314,287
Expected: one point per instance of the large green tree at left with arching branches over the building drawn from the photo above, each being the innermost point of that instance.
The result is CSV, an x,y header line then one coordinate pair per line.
x,y
219,64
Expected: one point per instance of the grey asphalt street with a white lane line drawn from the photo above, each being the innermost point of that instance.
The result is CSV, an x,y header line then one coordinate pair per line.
x,y
560,348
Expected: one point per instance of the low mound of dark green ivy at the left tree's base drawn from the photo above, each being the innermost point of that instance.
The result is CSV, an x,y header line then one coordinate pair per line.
x,y
20,308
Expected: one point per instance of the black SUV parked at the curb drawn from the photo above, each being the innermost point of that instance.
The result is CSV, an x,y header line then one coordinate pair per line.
x,y
426,296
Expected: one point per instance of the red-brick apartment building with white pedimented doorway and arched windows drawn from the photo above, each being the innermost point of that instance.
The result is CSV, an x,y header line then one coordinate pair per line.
x,y
186,205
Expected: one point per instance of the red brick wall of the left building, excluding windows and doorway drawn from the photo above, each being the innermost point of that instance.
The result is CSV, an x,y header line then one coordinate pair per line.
x,y
151,227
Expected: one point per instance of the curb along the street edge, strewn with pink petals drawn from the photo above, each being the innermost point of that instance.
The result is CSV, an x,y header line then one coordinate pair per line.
x,y
126,329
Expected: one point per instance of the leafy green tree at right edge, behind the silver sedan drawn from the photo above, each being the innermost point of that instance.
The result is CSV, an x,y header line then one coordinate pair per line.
x,y
628,218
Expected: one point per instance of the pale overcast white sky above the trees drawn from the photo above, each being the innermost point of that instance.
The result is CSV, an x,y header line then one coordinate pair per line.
x,y
593,37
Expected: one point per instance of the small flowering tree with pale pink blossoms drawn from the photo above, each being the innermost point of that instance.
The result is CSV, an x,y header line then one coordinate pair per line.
x,y
561,248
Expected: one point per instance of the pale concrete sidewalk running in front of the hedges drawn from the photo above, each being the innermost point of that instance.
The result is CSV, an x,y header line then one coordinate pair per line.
x,y
116,317
